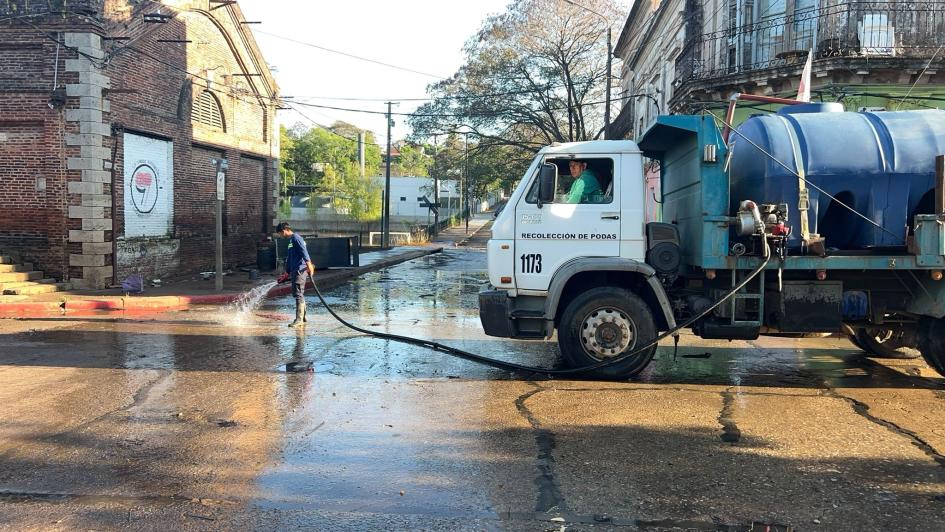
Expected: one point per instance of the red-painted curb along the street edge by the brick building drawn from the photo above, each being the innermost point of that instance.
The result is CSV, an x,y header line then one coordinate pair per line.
x,y
167,303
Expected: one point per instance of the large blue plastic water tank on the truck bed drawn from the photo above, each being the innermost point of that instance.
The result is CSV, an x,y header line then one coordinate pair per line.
x,y
882,164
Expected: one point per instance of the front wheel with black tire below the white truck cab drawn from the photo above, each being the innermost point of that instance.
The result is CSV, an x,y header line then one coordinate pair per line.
x,y
597,306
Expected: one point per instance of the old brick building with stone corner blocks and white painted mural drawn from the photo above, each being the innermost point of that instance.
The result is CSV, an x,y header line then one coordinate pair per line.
x,y
111,115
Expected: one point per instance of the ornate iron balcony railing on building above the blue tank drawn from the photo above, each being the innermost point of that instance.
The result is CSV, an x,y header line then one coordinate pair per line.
x,y
850,29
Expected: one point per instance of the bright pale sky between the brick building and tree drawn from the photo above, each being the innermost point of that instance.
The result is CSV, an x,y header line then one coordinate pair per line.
x,y
421,35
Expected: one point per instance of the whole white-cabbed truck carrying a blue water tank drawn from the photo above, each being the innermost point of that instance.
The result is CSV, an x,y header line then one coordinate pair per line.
x,y
809,220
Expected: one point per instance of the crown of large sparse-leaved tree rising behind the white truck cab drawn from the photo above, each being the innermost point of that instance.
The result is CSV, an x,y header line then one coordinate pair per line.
x,y
533,75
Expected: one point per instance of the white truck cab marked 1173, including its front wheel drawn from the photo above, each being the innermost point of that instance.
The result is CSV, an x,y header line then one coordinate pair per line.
x,y
555,262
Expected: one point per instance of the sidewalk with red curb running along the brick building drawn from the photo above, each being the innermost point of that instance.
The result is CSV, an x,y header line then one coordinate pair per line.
x,y
193,291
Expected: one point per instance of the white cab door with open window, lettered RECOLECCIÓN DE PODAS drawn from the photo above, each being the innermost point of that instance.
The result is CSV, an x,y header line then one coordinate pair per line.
x,y
574,225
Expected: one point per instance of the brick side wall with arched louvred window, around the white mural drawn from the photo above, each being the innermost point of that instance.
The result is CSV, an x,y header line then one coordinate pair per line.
x,y
158,98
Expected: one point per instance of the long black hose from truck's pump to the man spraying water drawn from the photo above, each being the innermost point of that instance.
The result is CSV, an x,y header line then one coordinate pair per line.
x,y
511,366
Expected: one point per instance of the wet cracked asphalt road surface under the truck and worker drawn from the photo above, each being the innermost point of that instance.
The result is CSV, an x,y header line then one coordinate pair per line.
x,y
190,420
